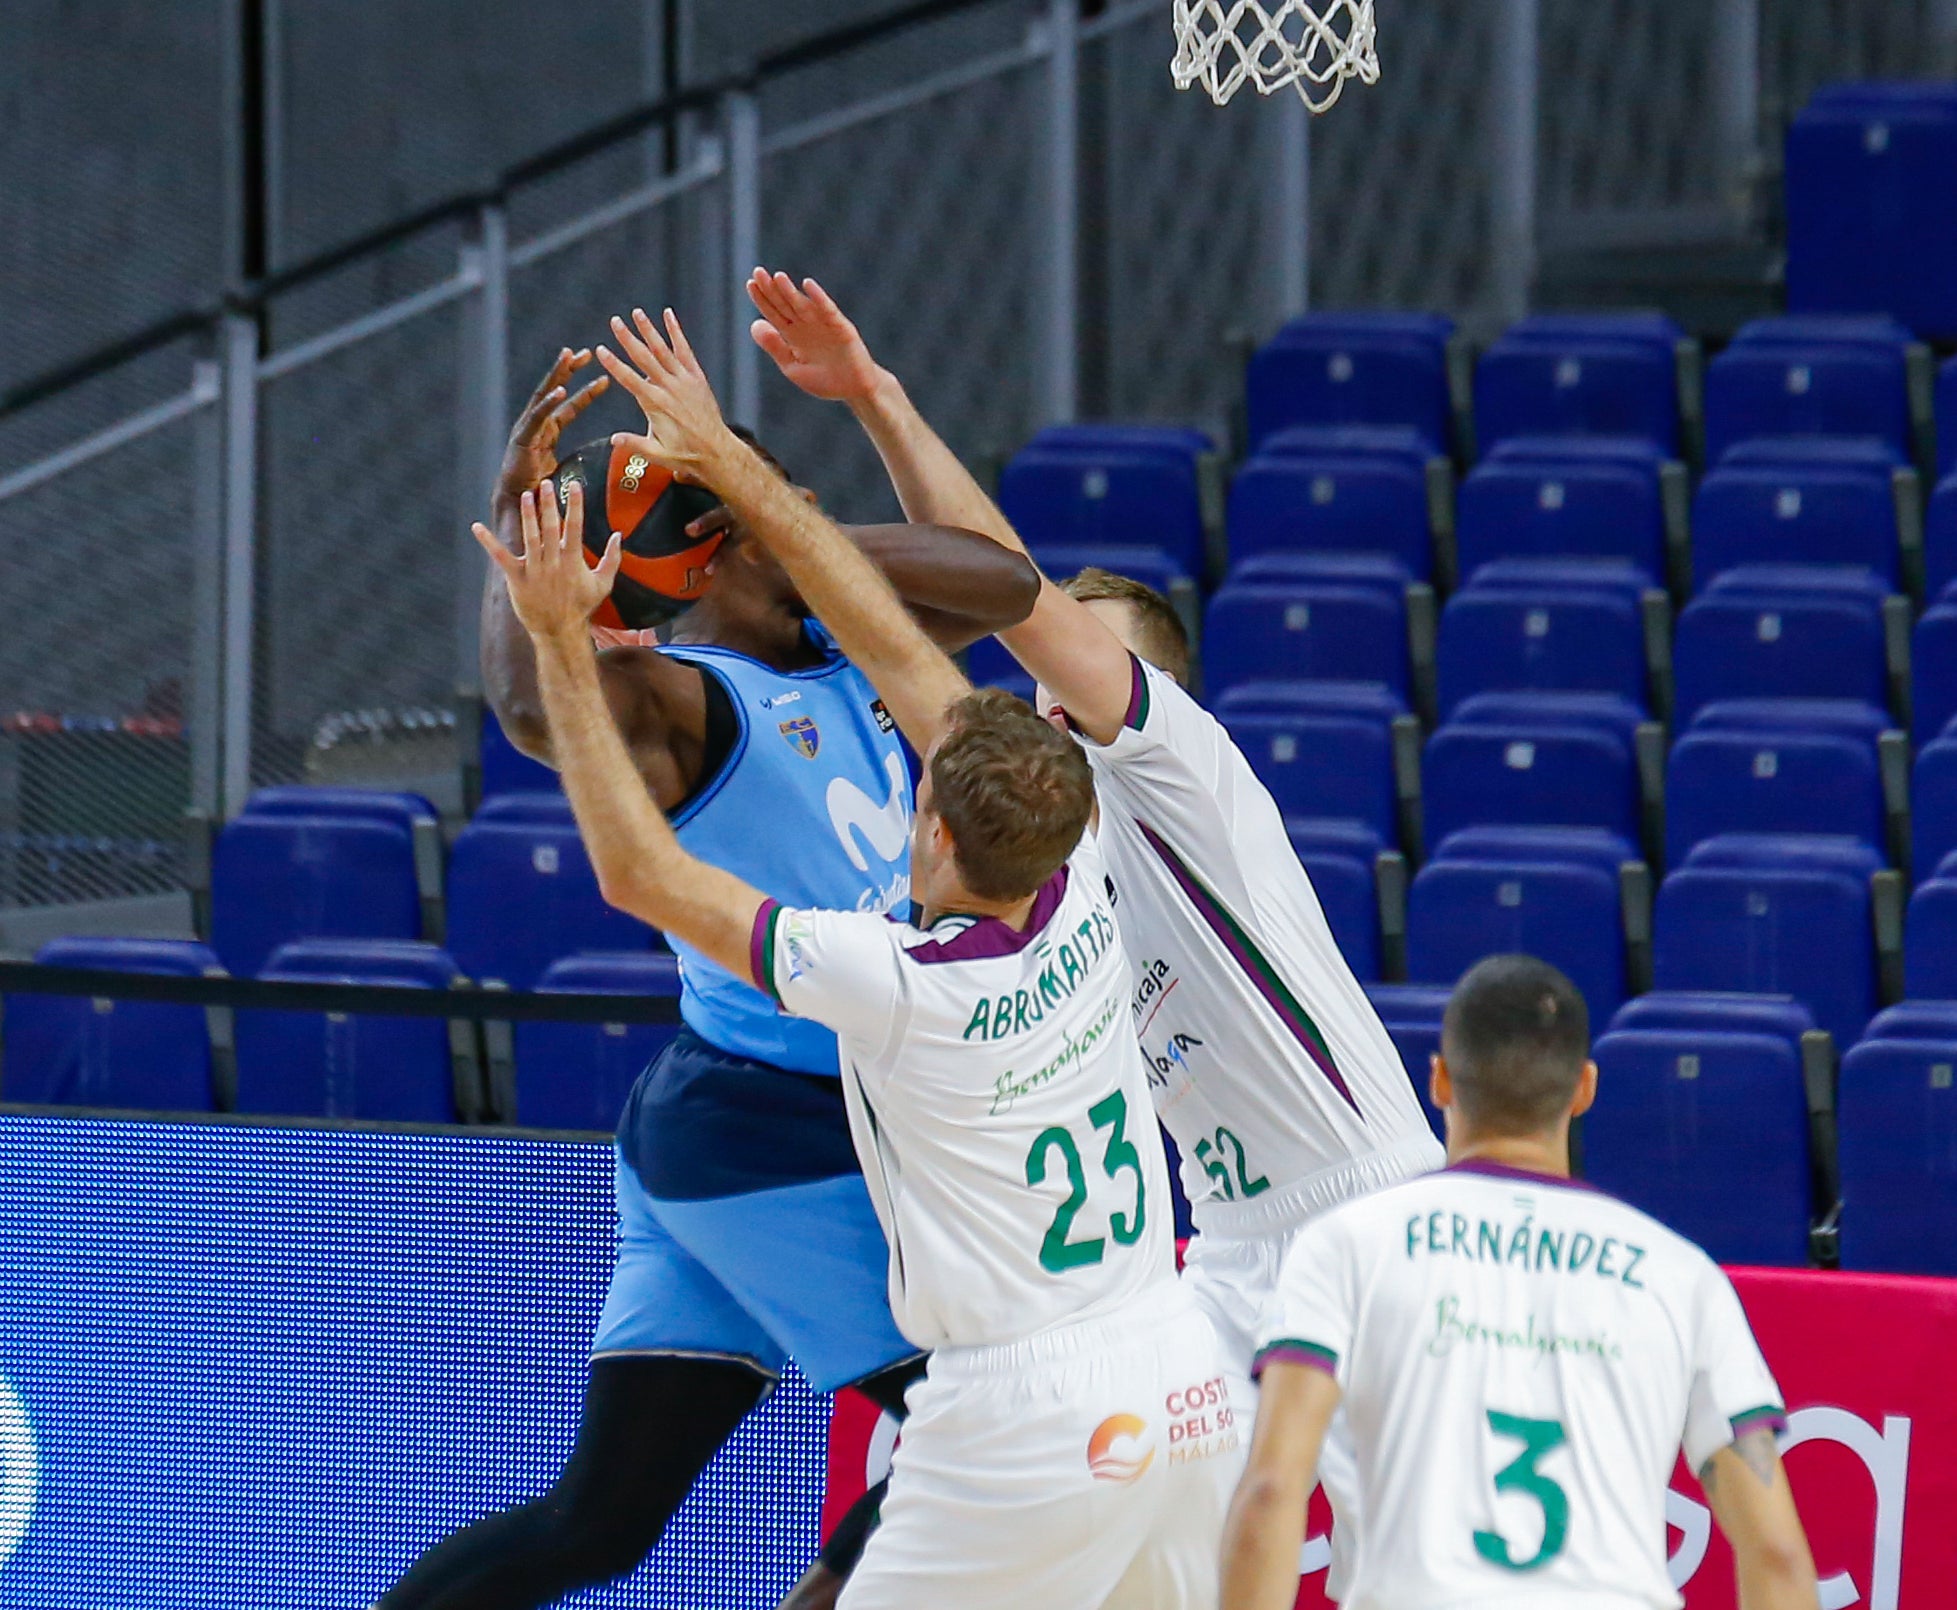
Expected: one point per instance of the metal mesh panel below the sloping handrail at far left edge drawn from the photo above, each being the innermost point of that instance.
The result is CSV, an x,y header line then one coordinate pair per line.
x,y
95,674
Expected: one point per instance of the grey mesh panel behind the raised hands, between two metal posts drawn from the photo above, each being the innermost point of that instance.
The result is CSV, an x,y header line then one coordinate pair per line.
x,y
919,224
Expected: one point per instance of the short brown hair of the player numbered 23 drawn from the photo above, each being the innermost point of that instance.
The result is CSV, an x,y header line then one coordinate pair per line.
x,y
1015,793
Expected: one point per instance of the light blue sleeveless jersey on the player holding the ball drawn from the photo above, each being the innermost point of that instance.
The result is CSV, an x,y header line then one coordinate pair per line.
x,y
813,809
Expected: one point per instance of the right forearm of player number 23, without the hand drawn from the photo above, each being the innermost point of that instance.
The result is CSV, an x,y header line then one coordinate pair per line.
x,y
850,596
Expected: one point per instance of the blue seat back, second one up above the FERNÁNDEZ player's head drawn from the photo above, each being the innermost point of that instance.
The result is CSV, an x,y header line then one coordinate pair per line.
x,y
1551,778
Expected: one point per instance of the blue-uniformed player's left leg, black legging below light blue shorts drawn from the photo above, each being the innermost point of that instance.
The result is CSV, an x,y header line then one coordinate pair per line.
x,y
676,1366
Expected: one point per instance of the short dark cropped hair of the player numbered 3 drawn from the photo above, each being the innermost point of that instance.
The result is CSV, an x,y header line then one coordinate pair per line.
x,y
1516,1040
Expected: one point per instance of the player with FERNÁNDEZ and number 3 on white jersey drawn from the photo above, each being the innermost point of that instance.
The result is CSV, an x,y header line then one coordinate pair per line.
x,y
1520,1361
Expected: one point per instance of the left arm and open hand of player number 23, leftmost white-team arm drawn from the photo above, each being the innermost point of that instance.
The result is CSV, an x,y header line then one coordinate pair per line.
x,y
635,854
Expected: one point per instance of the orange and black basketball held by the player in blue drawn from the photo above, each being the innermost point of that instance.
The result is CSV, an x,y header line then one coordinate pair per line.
x,y
662,570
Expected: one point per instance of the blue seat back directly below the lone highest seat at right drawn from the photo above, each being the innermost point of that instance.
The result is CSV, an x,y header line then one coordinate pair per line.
x,y
1766,390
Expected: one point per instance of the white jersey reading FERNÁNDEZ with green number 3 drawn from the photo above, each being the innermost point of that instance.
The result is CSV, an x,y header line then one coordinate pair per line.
x,y
1522,1361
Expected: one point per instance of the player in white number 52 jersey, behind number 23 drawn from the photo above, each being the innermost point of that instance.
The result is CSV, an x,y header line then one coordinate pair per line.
x,y
1271,1069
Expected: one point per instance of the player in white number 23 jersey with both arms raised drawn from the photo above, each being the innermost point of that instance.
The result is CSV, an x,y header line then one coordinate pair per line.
x,y
1073,1443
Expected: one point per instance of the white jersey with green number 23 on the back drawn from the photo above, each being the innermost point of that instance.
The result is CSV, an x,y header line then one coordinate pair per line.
x,y
997,1100
